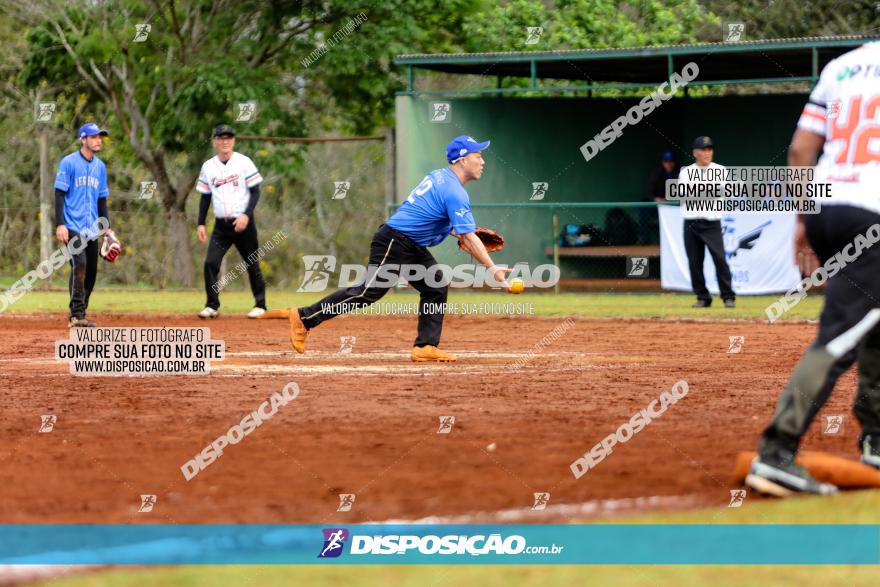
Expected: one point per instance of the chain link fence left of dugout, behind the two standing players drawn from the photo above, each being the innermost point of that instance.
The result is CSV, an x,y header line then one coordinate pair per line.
x,y
321,198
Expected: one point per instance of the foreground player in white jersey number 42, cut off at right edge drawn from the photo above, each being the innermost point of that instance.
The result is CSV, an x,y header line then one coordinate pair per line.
x,y
842,120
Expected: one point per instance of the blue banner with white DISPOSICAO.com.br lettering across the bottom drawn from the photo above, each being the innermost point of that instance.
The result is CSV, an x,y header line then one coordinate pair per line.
x,y
440,544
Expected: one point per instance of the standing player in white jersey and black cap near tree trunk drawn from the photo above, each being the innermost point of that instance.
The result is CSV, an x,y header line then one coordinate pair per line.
x,y
230,183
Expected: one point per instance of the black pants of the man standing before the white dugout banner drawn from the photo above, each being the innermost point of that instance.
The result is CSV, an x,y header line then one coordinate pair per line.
x,y
700,235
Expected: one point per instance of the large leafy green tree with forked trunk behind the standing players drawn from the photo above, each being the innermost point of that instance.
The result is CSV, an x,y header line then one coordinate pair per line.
x,y
201,57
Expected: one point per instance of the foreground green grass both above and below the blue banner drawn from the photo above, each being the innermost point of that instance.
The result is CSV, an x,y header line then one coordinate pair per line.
x,y
862,507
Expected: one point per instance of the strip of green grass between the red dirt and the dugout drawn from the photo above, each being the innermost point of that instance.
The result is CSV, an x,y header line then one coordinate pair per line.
x,y
544,304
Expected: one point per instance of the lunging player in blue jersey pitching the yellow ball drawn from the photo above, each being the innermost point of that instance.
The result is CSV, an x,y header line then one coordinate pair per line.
x,y
437,207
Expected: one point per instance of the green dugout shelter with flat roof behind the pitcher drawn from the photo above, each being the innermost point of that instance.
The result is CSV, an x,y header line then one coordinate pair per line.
x,y
538,109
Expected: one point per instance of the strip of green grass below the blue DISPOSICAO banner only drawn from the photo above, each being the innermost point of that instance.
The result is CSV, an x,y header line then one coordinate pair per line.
x,y
484,576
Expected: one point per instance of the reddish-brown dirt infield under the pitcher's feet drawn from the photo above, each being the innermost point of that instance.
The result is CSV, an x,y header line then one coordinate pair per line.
x,y
366,423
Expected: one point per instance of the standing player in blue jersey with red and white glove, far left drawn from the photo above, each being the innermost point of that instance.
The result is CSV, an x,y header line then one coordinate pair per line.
x,y
80,199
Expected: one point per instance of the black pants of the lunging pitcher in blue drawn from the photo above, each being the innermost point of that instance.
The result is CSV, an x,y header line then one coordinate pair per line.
x,y
389,247
